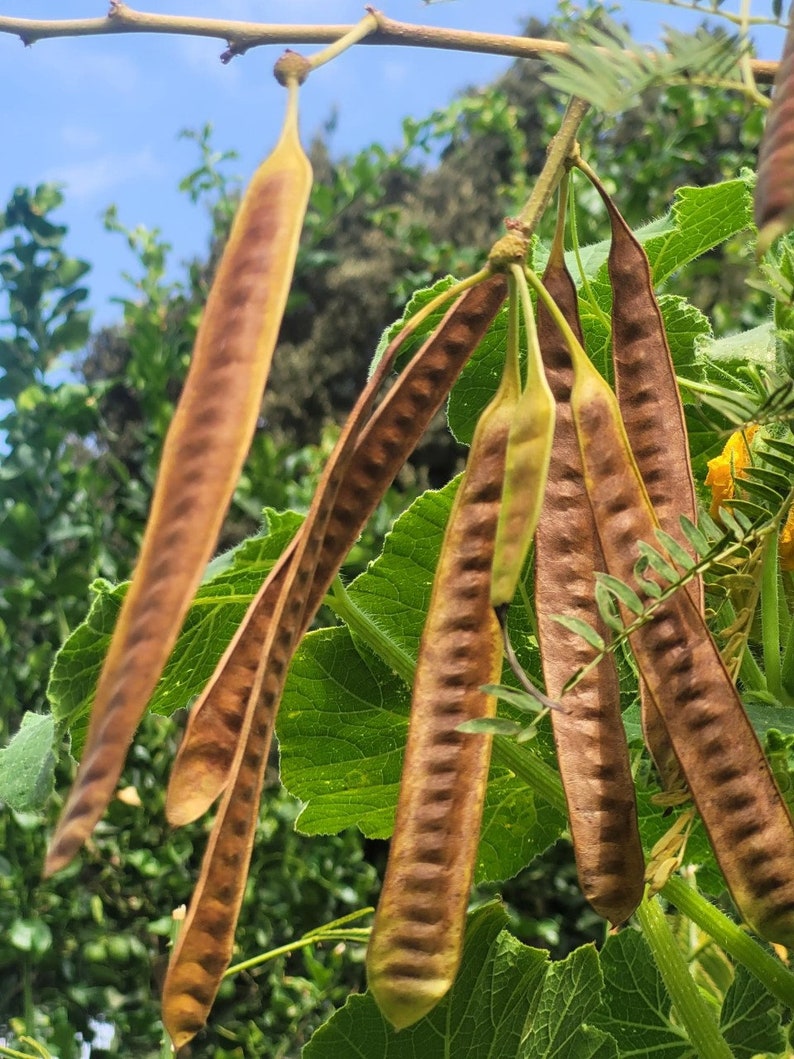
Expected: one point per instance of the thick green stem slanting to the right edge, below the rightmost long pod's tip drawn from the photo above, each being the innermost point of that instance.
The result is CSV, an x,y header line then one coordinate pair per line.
x,y
778,979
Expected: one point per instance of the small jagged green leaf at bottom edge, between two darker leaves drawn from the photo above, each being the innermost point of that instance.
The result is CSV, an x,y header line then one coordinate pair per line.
x,y
564,1018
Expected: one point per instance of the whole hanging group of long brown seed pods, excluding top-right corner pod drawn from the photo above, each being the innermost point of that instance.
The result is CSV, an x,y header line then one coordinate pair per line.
x,y
556,458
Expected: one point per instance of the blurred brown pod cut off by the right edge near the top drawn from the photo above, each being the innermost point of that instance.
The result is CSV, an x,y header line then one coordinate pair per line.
x,y
774,196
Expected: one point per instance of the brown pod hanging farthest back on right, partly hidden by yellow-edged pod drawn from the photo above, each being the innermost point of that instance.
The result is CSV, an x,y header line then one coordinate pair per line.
x,y
654,418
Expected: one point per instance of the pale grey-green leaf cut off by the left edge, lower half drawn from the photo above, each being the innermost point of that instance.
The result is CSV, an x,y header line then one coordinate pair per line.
x,y
27,765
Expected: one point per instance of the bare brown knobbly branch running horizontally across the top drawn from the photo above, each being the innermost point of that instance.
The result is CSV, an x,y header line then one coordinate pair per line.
x,y
242,37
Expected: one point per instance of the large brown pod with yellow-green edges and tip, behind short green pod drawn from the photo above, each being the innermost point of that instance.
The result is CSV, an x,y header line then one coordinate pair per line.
x,y
418,937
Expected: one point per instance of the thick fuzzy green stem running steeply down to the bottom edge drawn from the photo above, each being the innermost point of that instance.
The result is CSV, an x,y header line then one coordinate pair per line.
x,y
695,1014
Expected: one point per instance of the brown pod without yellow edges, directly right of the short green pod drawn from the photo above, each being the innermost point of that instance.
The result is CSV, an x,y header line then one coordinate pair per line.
x,y
590,738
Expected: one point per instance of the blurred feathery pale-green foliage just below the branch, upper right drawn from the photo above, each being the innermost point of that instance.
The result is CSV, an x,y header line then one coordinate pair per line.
x,y
611,71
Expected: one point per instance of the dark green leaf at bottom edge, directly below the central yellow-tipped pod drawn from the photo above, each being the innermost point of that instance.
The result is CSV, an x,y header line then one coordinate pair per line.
x,y
482,1017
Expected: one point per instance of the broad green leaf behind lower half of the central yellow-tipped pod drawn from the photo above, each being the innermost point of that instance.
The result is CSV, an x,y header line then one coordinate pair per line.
x,y
342,731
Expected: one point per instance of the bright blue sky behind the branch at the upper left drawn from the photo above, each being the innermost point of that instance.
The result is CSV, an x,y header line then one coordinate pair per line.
x,y
102,115
